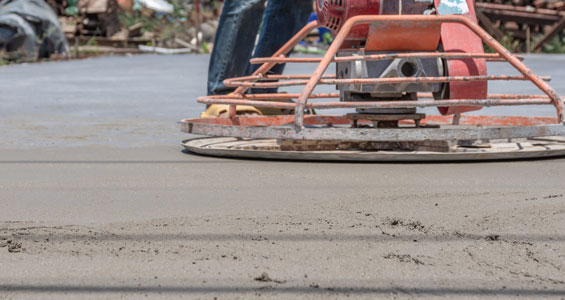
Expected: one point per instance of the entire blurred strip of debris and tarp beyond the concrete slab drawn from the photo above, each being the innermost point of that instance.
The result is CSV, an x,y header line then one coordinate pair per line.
x,y
29,30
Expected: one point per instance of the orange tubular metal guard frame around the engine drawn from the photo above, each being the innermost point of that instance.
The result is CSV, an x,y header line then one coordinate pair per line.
x,y
258,78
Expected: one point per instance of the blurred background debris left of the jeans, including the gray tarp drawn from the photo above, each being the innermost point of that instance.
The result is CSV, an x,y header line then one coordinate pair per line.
x,y
31,30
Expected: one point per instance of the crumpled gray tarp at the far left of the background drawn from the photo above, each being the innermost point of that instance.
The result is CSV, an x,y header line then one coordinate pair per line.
x,y
29,30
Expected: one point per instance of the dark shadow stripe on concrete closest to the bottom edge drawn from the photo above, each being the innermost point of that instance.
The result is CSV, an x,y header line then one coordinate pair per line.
x,y
187,289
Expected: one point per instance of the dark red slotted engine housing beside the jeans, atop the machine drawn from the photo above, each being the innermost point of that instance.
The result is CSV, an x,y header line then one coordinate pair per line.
x,y
333,13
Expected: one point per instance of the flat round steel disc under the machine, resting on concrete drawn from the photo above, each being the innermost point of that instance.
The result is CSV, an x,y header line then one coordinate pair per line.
x,y
545,147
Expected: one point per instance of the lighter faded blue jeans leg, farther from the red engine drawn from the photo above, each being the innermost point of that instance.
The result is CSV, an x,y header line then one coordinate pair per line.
x,y
234,42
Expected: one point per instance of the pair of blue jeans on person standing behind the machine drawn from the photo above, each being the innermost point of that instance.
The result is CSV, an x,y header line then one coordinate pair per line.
x,y
235,38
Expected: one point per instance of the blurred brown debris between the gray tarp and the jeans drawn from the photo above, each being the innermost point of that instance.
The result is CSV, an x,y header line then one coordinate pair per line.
x,y
131,26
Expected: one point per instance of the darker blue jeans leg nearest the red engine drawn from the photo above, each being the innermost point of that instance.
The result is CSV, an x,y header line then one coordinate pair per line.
x,y
281,21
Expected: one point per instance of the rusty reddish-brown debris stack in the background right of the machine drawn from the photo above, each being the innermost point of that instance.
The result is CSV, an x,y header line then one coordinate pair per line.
x,y
525,25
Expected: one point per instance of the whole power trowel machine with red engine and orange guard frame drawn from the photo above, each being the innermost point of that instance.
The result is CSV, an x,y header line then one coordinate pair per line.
x,y
393,59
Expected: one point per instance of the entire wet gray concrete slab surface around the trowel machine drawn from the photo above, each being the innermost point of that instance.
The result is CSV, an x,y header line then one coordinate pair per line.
x,y
99,200
